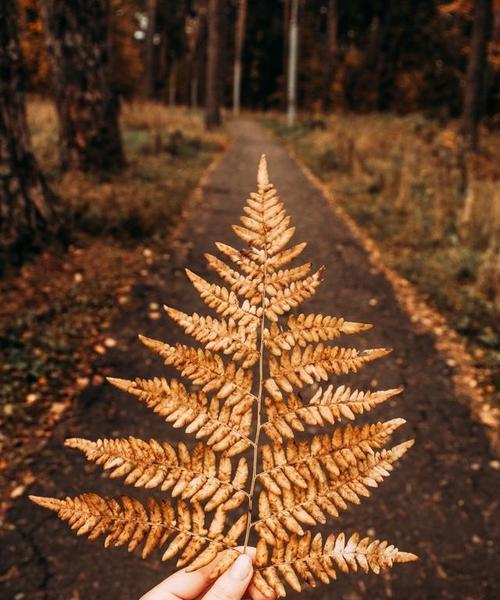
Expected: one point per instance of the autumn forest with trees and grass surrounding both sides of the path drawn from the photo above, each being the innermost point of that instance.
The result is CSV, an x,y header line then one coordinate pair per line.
x,y
112,110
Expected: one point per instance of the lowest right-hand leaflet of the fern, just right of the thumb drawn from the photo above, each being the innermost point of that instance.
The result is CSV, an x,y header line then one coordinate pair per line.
x,y
303,559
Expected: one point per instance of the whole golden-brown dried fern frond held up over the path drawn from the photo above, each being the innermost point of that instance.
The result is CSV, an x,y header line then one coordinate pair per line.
x,y
248,379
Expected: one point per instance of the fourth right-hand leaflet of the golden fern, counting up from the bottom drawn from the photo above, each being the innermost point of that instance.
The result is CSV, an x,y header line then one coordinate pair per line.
x,y
326,406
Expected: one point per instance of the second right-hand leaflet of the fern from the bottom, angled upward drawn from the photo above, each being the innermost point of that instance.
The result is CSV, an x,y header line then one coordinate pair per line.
x,y
280,515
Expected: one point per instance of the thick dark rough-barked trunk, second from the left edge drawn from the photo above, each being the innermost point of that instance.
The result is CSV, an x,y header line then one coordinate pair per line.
x,y
77,38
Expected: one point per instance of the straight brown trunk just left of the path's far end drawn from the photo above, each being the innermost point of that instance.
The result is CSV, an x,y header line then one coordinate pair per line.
x,y
214,77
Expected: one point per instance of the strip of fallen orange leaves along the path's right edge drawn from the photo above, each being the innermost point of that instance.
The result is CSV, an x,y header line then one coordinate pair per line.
x,y
423,317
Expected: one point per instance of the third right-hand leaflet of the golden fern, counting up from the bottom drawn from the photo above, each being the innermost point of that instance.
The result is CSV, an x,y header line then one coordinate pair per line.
x,y
325,457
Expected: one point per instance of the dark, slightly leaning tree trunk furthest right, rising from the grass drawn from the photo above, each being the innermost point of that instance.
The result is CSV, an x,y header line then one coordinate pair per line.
x,y
476,67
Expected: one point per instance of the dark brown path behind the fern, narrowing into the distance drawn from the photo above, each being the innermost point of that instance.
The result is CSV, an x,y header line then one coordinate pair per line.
x,y
440,503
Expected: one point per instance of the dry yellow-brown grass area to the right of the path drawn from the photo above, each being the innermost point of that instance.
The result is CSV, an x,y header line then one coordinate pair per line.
x,y
433,212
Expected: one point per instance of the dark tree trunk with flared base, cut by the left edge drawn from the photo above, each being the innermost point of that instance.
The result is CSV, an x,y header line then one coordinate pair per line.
x,y
26,203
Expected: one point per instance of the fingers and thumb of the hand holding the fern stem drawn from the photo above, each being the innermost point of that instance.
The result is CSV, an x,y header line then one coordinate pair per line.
x,y
234,584
